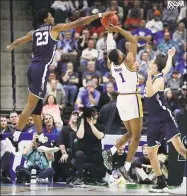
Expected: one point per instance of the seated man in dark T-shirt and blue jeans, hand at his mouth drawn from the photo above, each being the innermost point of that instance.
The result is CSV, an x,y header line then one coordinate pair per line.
x,y
70,80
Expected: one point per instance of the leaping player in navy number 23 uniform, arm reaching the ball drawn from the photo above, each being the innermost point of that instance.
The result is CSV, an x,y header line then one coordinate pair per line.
x,y
44,46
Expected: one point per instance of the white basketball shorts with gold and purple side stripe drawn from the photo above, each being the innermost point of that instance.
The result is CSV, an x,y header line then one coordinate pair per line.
x,y
129,106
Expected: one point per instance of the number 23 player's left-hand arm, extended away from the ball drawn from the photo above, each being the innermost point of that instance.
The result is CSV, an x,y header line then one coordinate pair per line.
x,y
20,41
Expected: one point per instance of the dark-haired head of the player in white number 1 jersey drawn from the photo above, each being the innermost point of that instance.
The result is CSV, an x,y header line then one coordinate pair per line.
x,y
116,56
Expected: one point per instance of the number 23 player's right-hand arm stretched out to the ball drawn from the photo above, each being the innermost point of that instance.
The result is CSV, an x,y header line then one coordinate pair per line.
x,y
80,22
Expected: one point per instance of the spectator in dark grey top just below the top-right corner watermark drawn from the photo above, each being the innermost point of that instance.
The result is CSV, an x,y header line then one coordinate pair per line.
x,y
170,16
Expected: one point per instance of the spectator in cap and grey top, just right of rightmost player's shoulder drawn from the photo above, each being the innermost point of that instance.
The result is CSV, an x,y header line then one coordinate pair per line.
x,y
174,82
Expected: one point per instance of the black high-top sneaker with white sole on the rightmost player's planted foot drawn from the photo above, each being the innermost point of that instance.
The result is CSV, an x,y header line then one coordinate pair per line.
x,y
160,187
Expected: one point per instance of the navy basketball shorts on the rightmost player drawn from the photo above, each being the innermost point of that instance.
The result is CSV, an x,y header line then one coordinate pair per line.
x,y
157,129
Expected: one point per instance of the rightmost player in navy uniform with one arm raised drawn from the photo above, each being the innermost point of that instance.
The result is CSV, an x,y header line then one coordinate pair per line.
x,y
160,120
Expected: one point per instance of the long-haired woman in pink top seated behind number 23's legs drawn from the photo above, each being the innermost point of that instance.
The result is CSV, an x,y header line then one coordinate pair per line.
x,y
51,107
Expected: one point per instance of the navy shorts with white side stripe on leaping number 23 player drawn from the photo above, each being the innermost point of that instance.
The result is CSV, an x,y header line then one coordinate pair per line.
x,y
37,76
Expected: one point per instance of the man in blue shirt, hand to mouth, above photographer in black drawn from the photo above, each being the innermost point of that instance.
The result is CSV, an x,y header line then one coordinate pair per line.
x,y
89,96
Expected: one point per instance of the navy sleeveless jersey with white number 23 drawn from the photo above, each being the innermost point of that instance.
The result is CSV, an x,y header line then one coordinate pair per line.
x,y
44,46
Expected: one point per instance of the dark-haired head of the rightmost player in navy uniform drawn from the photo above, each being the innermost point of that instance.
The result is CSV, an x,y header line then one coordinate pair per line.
x,y
159,63
